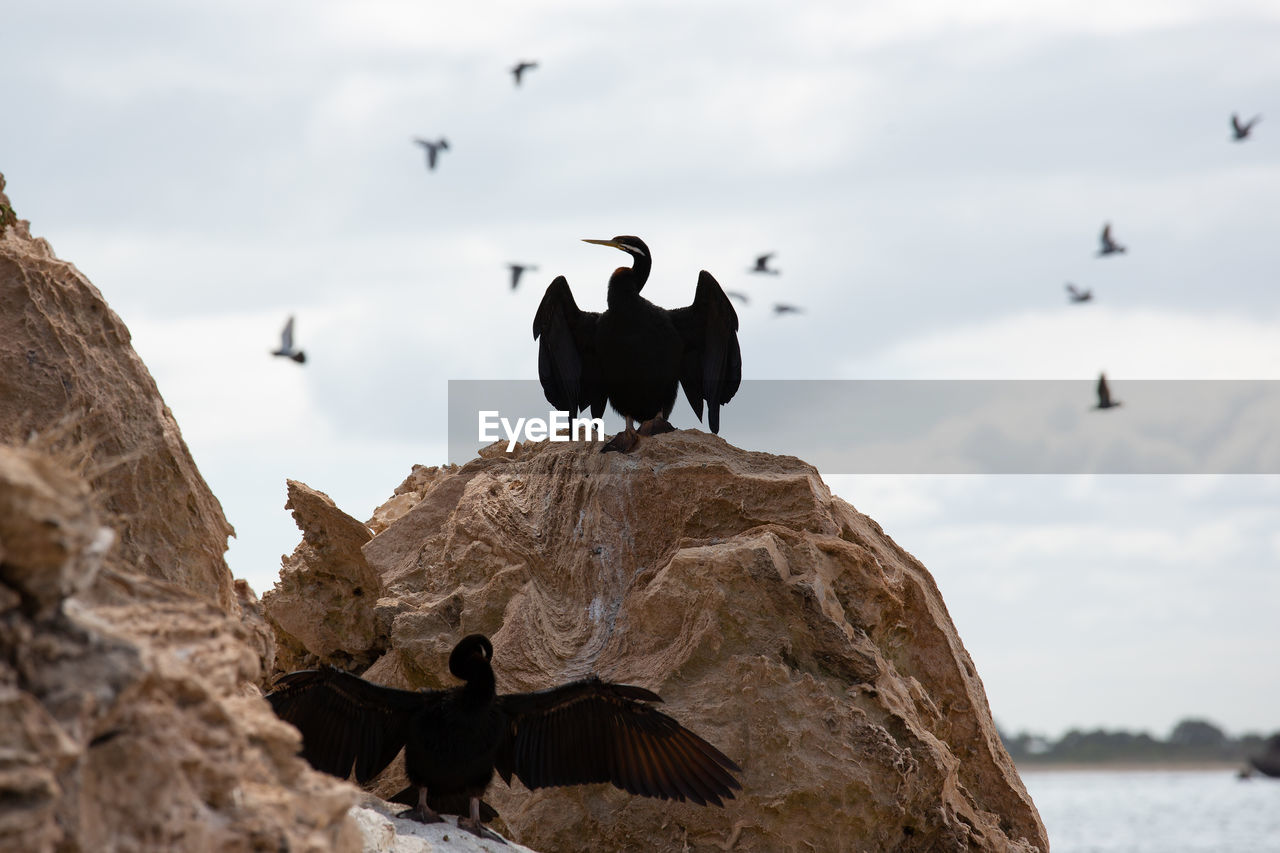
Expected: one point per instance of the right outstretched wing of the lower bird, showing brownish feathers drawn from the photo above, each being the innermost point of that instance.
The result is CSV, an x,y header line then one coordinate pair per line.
x,y
595,732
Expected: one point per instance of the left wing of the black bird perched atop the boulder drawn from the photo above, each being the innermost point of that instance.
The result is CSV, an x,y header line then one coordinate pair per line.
x,y
568,364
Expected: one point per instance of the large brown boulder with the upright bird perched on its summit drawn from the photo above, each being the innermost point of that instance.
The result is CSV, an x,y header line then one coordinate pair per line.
x,y
776,621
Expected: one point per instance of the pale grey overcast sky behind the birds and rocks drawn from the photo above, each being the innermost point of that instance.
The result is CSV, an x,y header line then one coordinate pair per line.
x,y
930,176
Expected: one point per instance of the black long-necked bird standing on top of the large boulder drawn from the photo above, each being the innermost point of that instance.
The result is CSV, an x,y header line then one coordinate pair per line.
x,y
637,355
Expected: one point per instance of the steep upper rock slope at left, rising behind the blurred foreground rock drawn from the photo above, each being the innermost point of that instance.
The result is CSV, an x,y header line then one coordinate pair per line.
x,y
68,372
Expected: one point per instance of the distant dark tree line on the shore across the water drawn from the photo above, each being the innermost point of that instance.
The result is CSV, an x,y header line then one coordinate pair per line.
x,y
1191,741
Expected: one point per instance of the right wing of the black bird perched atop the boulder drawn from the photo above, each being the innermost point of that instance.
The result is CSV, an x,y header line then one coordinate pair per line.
x,y
712,367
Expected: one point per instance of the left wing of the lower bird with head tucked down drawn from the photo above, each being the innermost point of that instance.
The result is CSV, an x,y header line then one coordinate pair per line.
x,y
346,720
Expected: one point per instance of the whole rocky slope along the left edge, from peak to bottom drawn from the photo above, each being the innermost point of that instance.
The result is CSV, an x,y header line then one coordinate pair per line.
x,y
130,719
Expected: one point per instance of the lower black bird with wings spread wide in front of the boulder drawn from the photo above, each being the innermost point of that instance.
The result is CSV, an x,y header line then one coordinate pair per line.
x,y
455,740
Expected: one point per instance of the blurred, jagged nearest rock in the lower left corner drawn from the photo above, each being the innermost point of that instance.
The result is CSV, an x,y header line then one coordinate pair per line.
x,y
130,722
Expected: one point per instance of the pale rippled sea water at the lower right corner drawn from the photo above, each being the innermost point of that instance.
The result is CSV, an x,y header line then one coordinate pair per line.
x,y
1156,811
